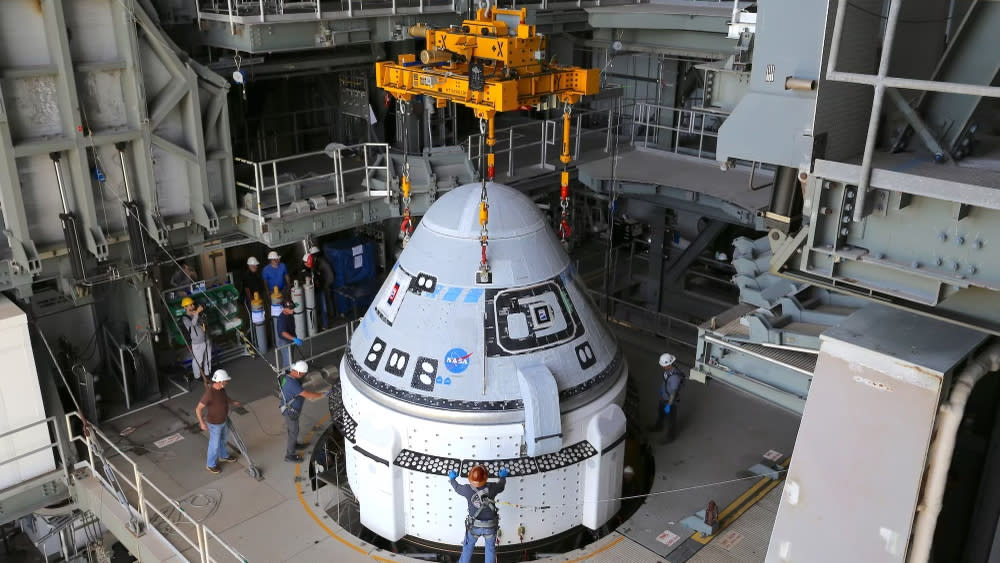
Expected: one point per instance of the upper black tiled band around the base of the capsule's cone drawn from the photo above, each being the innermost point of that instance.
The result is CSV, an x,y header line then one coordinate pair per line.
x,y
458,405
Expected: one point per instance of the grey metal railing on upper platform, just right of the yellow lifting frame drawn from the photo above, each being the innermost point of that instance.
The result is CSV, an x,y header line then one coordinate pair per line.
x,y
648,120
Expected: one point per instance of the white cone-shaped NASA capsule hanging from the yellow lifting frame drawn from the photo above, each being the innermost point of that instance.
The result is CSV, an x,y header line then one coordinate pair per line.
x,y
445,373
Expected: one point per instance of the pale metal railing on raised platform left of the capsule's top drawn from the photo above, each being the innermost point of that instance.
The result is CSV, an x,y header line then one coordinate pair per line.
x,y
264,180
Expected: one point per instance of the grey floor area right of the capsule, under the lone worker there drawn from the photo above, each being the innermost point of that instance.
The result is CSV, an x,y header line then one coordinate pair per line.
x,y
723,433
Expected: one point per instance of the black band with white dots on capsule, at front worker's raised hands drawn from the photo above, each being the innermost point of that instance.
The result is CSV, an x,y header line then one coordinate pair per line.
x,y
517,466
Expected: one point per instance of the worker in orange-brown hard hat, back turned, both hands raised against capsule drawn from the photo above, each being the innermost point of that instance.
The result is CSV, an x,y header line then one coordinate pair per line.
x,y
483,520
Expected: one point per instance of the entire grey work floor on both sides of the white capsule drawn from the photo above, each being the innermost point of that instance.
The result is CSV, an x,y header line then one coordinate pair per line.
x,y
723,432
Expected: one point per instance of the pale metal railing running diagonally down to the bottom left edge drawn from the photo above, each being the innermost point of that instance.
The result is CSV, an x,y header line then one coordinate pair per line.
x,y
191,533
